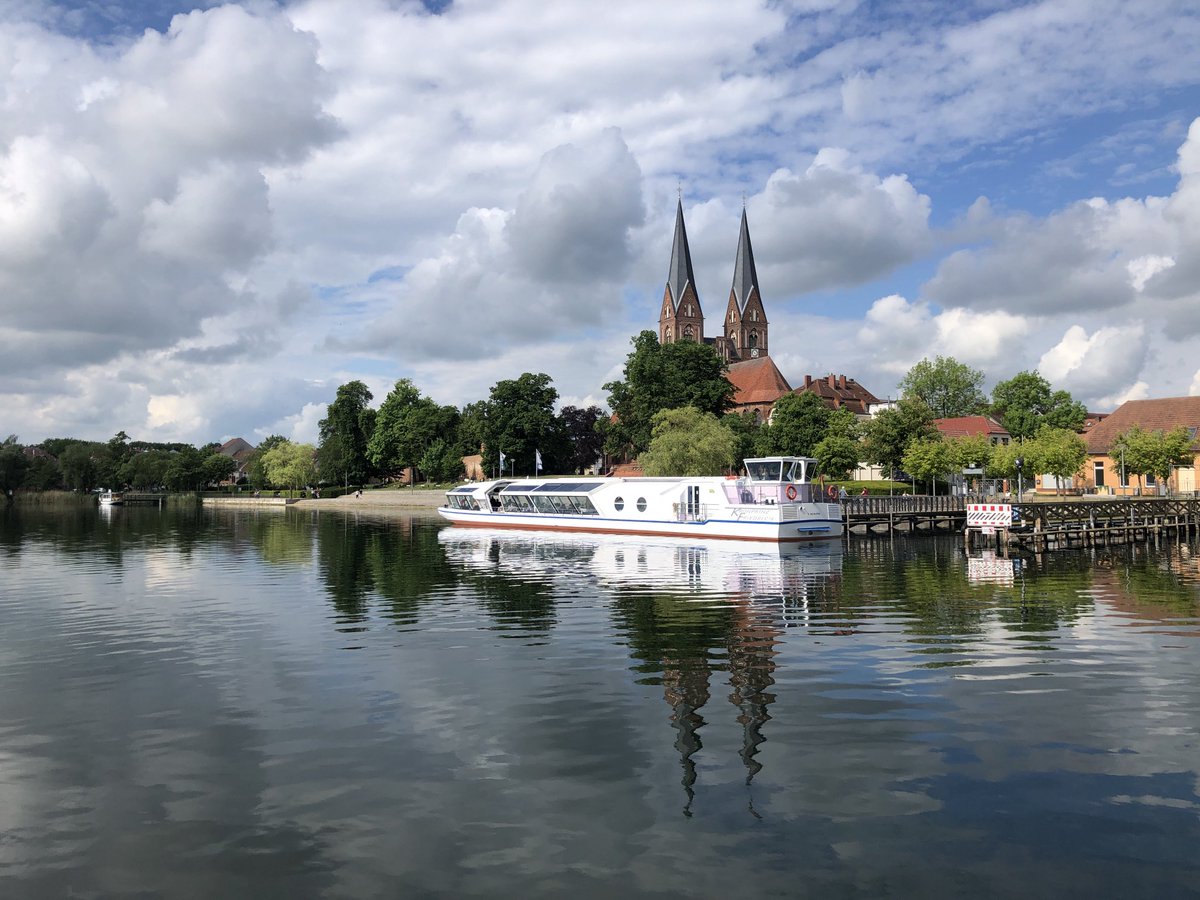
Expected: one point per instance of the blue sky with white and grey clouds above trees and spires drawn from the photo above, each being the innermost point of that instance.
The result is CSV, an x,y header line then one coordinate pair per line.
x,y
213,218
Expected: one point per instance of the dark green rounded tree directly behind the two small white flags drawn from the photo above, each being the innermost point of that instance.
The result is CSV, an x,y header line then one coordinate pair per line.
x,y
521,422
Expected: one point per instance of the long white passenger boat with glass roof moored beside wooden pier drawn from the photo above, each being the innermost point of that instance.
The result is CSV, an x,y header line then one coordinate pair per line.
x,y
776,501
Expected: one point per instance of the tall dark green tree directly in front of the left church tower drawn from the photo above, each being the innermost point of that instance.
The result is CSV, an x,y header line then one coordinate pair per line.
x,y
661,377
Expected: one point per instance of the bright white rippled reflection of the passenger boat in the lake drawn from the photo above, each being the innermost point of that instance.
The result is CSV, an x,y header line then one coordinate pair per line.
x,y
701,568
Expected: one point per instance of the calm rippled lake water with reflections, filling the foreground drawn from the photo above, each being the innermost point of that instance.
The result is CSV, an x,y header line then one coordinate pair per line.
x,y
316,705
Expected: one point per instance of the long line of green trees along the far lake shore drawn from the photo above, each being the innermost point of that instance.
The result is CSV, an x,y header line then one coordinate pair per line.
x,y
671,412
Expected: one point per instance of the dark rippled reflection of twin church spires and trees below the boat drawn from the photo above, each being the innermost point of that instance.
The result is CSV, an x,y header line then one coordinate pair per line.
x,y
680,645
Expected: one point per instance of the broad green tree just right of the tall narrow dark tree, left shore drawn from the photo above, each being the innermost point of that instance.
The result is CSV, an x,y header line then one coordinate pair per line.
x,y
407,425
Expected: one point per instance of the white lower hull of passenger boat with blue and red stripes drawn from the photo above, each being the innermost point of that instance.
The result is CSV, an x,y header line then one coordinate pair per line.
x,y
808,529
